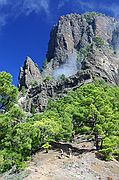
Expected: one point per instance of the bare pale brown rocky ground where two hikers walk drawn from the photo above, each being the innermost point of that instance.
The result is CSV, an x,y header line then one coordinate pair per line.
x,y
82,165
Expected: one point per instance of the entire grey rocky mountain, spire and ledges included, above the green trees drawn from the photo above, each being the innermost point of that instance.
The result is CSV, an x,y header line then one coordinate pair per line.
x,y
81,47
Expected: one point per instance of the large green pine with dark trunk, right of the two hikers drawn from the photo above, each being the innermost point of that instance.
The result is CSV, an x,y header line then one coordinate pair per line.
x,y
97,113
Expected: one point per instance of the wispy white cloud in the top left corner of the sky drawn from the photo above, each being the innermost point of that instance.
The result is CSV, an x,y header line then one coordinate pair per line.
x,y
18,7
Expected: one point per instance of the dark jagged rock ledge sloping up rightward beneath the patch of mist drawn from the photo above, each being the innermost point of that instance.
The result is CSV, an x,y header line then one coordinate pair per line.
x,y
38,96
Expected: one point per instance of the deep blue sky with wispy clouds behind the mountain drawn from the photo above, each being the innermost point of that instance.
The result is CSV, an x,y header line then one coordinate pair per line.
x,y
25,27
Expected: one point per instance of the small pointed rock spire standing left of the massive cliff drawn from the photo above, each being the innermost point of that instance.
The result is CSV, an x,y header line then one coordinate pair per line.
x,y
29,74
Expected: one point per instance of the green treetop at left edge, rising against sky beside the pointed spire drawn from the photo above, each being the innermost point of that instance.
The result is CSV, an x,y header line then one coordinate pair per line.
x,y
8,92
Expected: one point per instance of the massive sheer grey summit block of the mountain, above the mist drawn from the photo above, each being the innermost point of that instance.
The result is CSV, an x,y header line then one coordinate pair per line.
x,y
74,32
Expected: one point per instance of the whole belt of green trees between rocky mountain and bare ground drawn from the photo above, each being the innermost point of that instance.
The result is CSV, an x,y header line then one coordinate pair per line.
x,y
92,110
